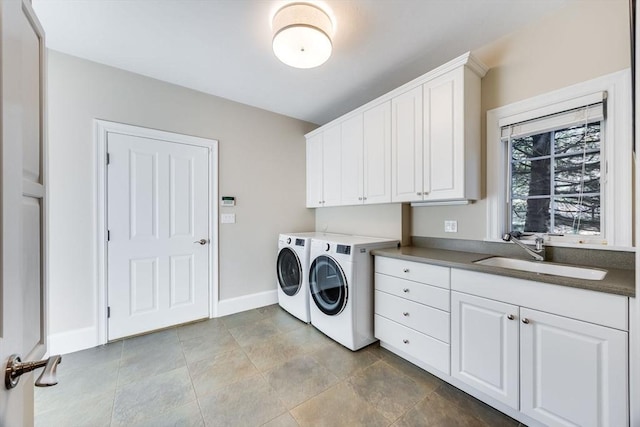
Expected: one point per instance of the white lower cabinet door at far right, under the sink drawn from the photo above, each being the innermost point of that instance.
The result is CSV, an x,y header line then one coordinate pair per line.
x,y
572,373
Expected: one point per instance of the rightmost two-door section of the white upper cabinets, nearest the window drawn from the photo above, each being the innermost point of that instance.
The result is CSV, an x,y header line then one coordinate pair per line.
x,y
436,139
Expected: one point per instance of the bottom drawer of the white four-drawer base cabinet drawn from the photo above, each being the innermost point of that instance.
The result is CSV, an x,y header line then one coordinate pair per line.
x,y
428,350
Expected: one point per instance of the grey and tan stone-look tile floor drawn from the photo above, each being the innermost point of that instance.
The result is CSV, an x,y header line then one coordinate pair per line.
x,y
257,368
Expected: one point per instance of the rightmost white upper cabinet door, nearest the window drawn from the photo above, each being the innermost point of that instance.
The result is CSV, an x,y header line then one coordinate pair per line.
x,y
443,137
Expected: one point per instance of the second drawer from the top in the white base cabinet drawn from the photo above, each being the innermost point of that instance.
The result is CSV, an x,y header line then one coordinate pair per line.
x,y
414,291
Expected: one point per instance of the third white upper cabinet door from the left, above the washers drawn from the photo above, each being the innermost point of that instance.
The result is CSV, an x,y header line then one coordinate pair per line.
x,y
351,192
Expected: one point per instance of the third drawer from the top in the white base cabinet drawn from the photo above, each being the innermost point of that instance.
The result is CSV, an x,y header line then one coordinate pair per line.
x,y
428,320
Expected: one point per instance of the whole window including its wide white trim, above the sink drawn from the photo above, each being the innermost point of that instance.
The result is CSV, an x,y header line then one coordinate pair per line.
x,y
560,164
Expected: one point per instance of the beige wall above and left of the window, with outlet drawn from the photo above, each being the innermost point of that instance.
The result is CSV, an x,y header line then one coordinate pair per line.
x,y
585,40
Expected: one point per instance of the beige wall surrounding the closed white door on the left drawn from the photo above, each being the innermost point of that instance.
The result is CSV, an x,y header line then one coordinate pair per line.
x,y
261,162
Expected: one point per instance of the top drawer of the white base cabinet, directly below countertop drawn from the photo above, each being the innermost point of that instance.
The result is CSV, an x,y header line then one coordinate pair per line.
x,y
425,273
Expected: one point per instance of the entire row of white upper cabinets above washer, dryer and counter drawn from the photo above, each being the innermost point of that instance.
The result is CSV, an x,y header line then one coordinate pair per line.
x,y
420,142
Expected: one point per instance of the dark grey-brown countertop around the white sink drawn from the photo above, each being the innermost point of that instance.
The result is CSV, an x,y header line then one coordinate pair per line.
x,y
617,281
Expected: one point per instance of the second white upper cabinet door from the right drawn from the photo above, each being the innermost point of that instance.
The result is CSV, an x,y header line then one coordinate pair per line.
x,y
406,142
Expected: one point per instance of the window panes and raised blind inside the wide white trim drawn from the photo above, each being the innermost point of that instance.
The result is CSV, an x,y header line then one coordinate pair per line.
x,y
555,172
